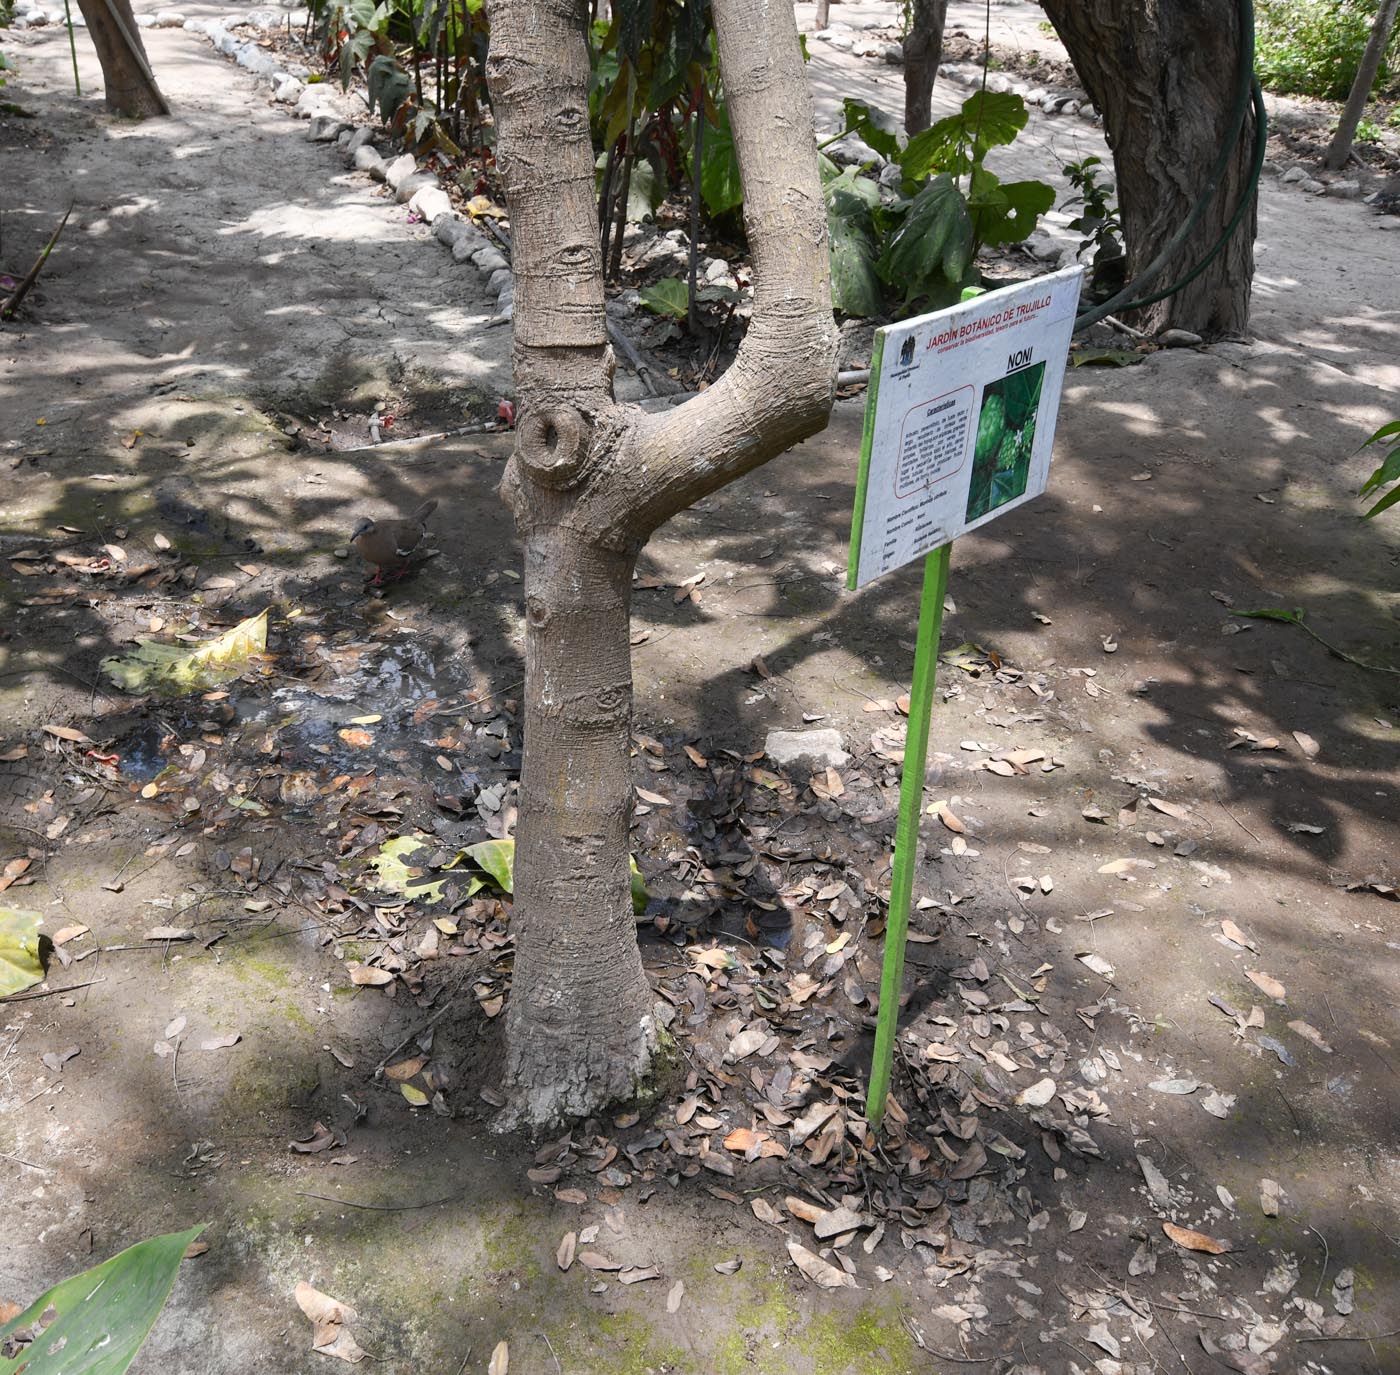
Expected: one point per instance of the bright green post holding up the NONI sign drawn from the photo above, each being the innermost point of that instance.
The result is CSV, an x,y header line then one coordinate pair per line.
x,y
906,832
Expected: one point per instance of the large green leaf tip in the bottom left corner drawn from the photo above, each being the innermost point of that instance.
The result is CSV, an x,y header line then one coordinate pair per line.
x,y
101,1315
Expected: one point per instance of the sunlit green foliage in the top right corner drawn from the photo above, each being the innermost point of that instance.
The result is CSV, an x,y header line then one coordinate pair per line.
x,y
1314,47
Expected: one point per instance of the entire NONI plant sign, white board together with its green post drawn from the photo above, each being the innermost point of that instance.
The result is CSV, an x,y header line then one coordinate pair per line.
x,y
960,424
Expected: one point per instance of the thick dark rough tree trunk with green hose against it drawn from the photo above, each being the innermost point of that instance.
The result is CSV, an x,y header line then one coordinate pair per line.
x,y
1165,79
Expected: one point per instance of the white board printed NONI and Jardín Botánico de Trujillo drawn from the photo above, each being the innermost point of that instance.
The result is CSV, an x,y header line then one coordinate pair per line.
x,y
960,419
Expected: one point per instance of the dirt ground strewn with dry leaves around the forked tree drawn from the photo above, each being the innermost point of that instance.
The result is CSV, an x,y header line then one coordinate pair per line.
x,y
222,288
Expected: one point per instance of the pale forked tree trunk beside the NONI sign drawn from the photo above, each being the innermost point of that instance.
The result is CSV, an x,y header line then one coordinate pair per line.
x,y
589,484
